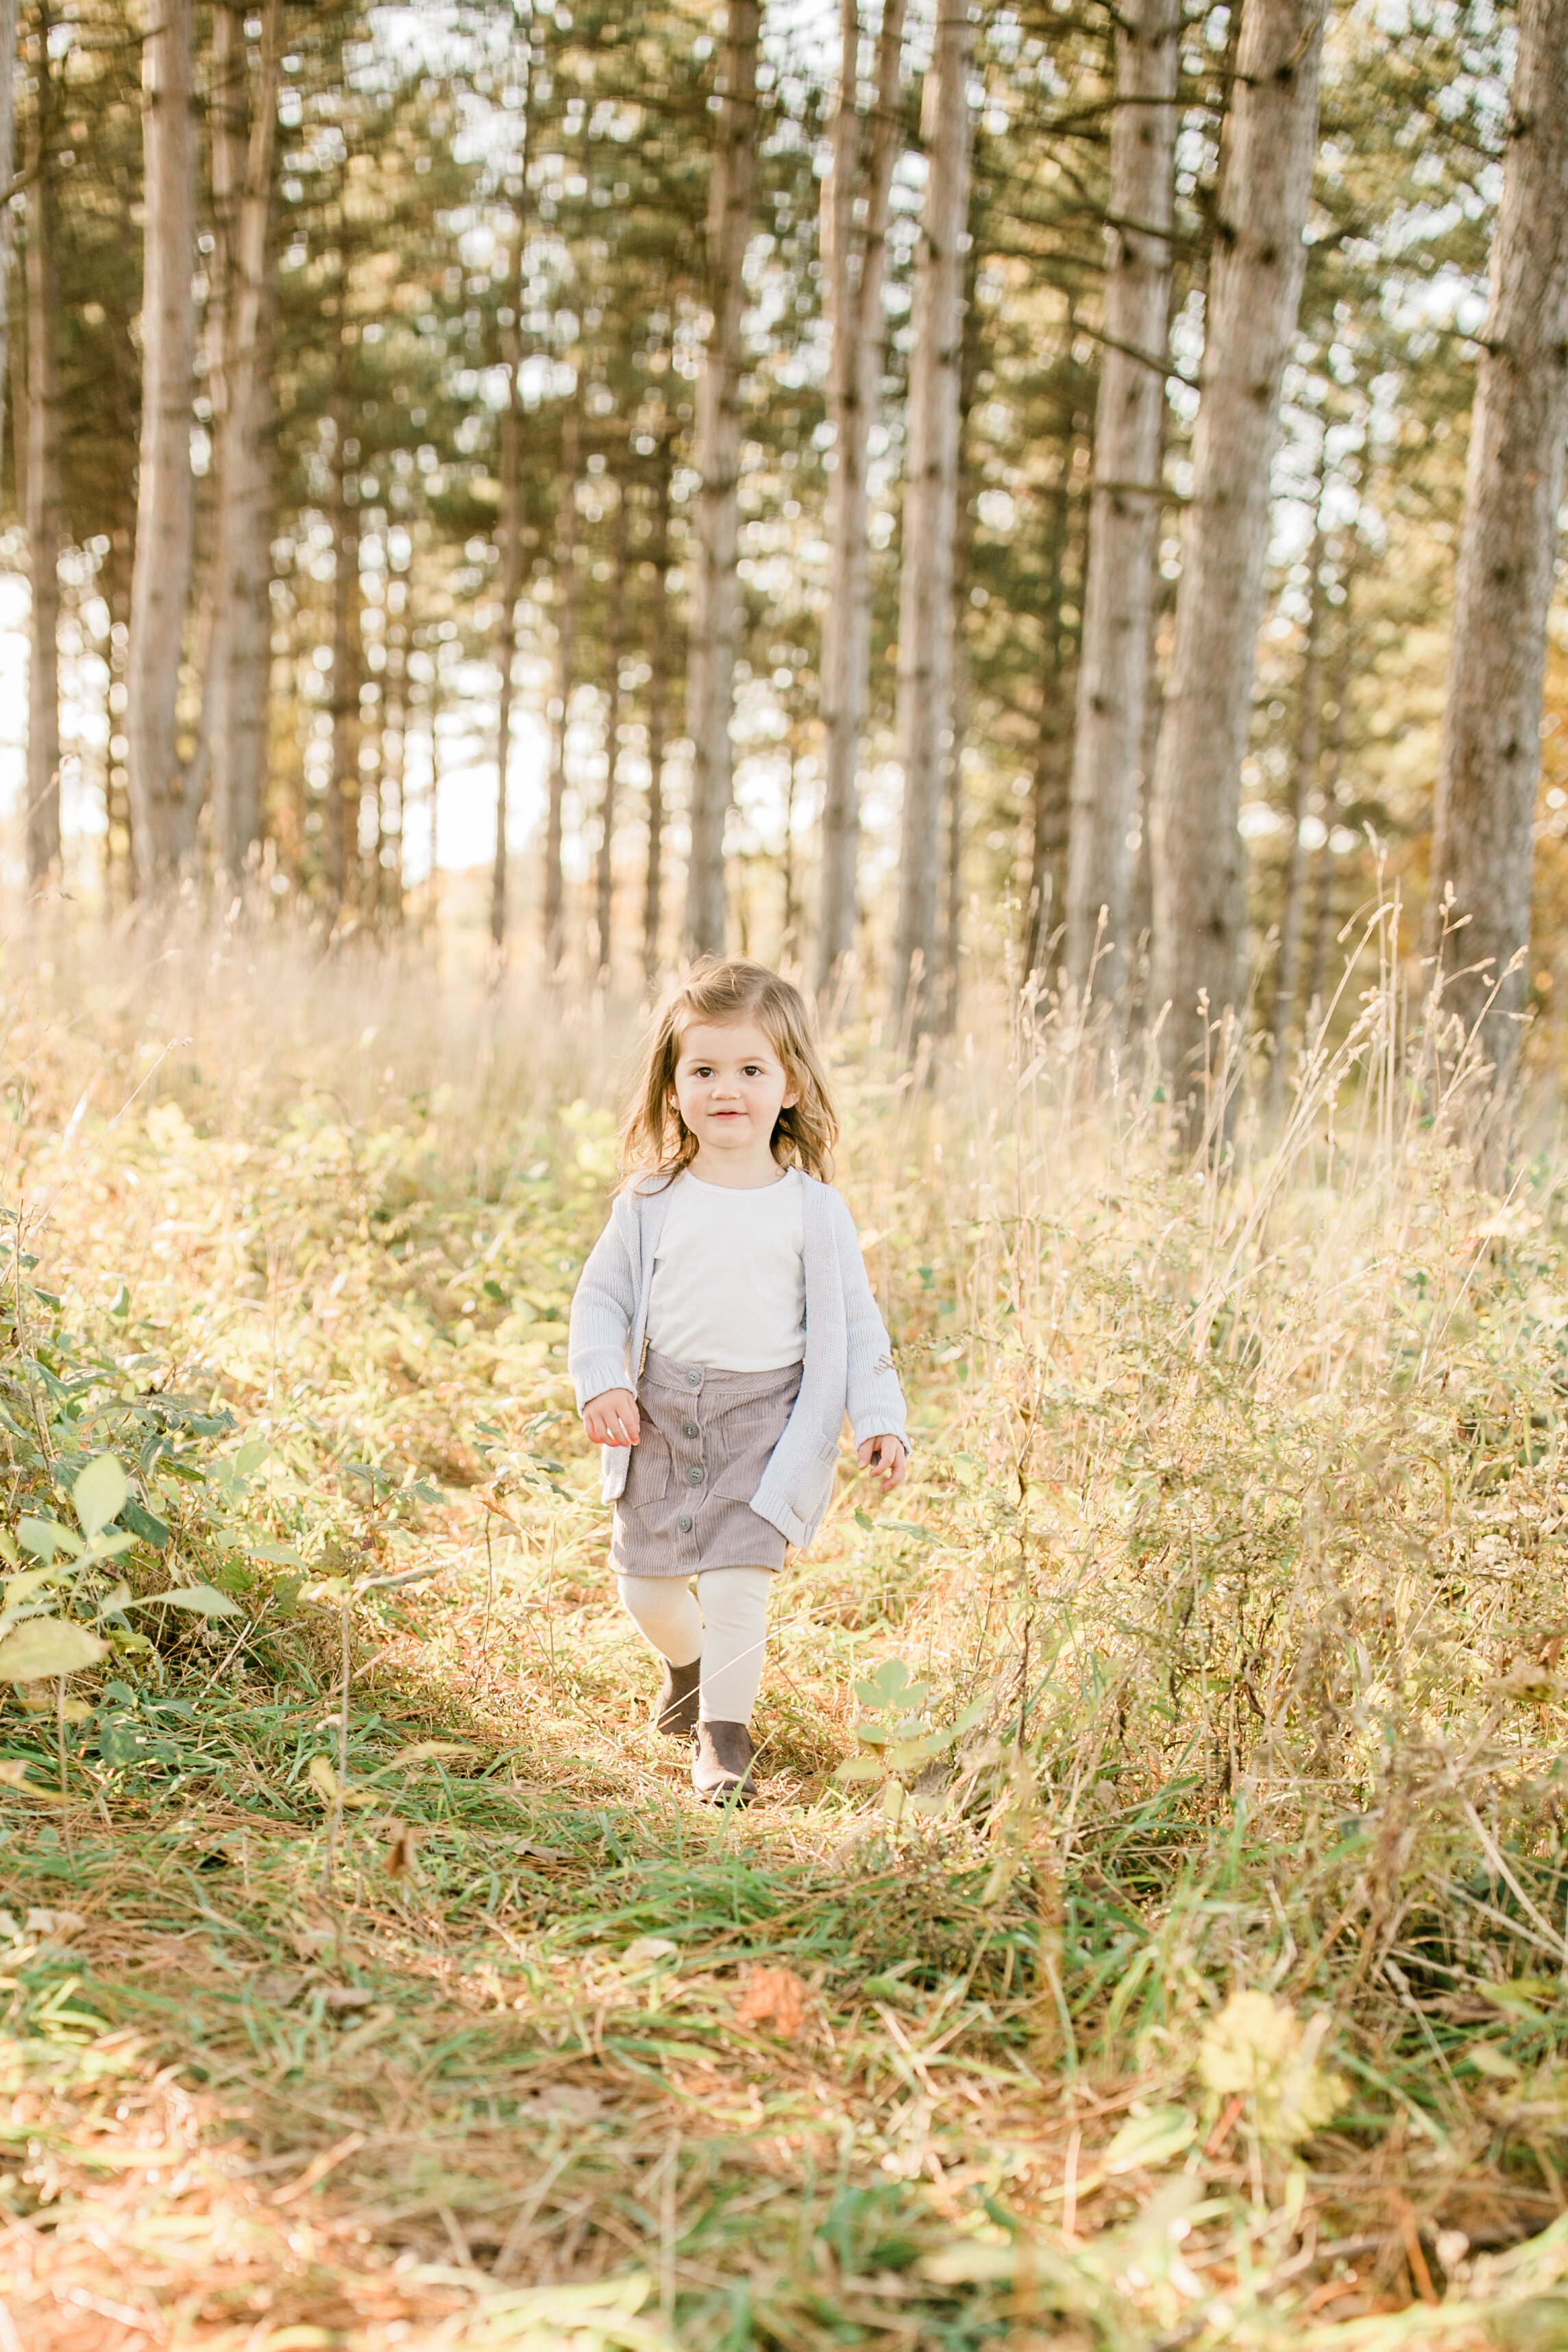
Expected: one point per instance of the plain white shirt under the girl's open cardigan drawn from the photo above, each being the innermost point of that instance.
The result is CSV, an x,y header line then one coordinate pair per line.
x,y
730,1276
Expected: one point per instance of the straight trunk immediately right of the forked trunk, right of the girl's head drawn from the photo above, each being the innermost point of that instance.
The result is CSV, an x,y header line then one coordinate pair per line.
x,y
930,514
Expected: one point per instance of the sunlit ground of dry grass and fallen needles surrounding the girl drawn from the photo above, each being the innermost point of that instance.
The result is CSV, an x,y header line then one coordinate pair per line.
x,y
368,1972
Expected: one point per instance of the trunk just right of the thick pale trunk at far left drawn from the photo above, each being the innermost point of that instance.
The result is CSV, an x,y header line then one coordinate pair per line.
x,y
243,138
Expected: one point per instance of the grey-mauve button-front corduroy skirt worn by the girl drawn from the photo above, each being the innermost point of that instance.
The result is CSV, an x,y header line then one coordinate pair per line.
x,y
706,1441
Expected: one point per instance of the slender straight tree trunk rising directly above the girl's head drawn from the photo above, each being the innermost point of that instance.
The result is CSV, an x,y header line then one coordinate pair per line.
x,y
716,603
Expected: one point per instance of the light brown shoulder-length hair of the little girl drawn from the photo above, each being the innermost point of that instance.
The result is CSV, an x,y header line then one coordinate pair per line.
x,y
657,1142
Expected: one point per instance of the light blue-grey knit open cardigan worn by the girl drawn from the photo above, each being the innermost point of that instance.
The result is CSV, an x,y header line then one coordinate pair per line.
x,y
847,1368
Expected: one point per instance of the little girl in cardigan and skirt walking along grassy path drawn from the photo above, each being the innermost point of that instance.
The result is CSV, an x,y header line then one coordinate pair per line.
x,y
721,1330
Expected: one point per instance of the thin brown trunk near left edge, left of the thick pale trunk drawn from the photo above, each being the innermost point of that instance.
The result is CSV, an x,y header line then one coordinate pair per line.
x,y
43,488
